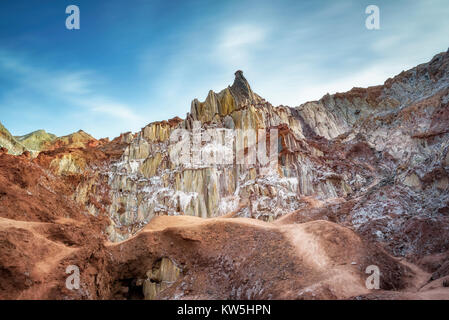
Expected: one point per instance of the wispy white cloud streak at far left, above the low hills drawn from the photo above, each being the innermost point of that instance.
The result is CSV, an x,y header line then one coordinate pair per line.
x,y
76,90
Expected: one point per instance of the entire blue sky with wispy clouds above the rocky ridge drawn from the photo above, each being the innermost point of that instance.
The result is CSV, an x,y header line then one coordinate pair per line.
x,y
135,62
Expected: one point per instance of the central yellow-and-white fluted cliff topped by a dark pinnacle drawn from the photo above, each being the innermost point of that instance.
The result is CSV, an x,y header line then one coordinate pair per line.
x,y
145,182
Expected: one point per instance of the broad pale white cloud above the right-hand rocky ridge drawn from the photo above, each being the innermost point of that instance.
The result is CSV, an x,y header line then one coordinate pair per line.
x,y
324,52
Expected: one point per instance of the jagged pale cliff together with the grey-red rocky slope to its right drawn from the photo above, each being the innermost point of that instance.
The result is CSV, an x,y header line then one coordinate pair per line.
x,y
386,144
